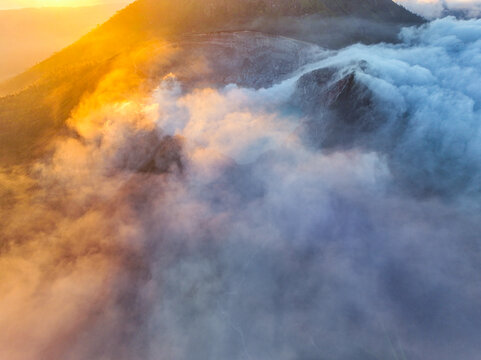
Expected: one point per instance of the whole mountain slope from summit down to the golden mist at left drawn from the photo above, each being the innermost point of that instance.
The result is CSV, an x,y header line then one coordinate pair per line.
x,y
42,98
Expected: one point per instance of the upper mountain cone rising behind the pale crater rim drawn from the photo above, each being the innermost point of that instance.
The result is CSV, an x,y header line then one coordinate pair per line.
x,y
147,19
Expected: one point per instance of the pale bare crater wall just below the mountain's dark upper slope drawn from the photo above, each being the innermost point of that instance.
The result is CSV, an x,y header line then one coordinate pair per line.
x,y
247,59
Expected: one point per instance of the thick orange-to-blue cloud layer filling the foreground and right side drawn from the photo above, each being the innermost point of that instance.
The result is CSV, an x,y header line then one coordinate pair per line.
x,y
273,223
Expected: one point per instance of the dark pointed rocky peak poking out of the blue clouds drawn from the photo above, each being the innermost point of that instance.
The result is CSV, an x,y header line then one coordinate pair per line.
x,y
340,109
